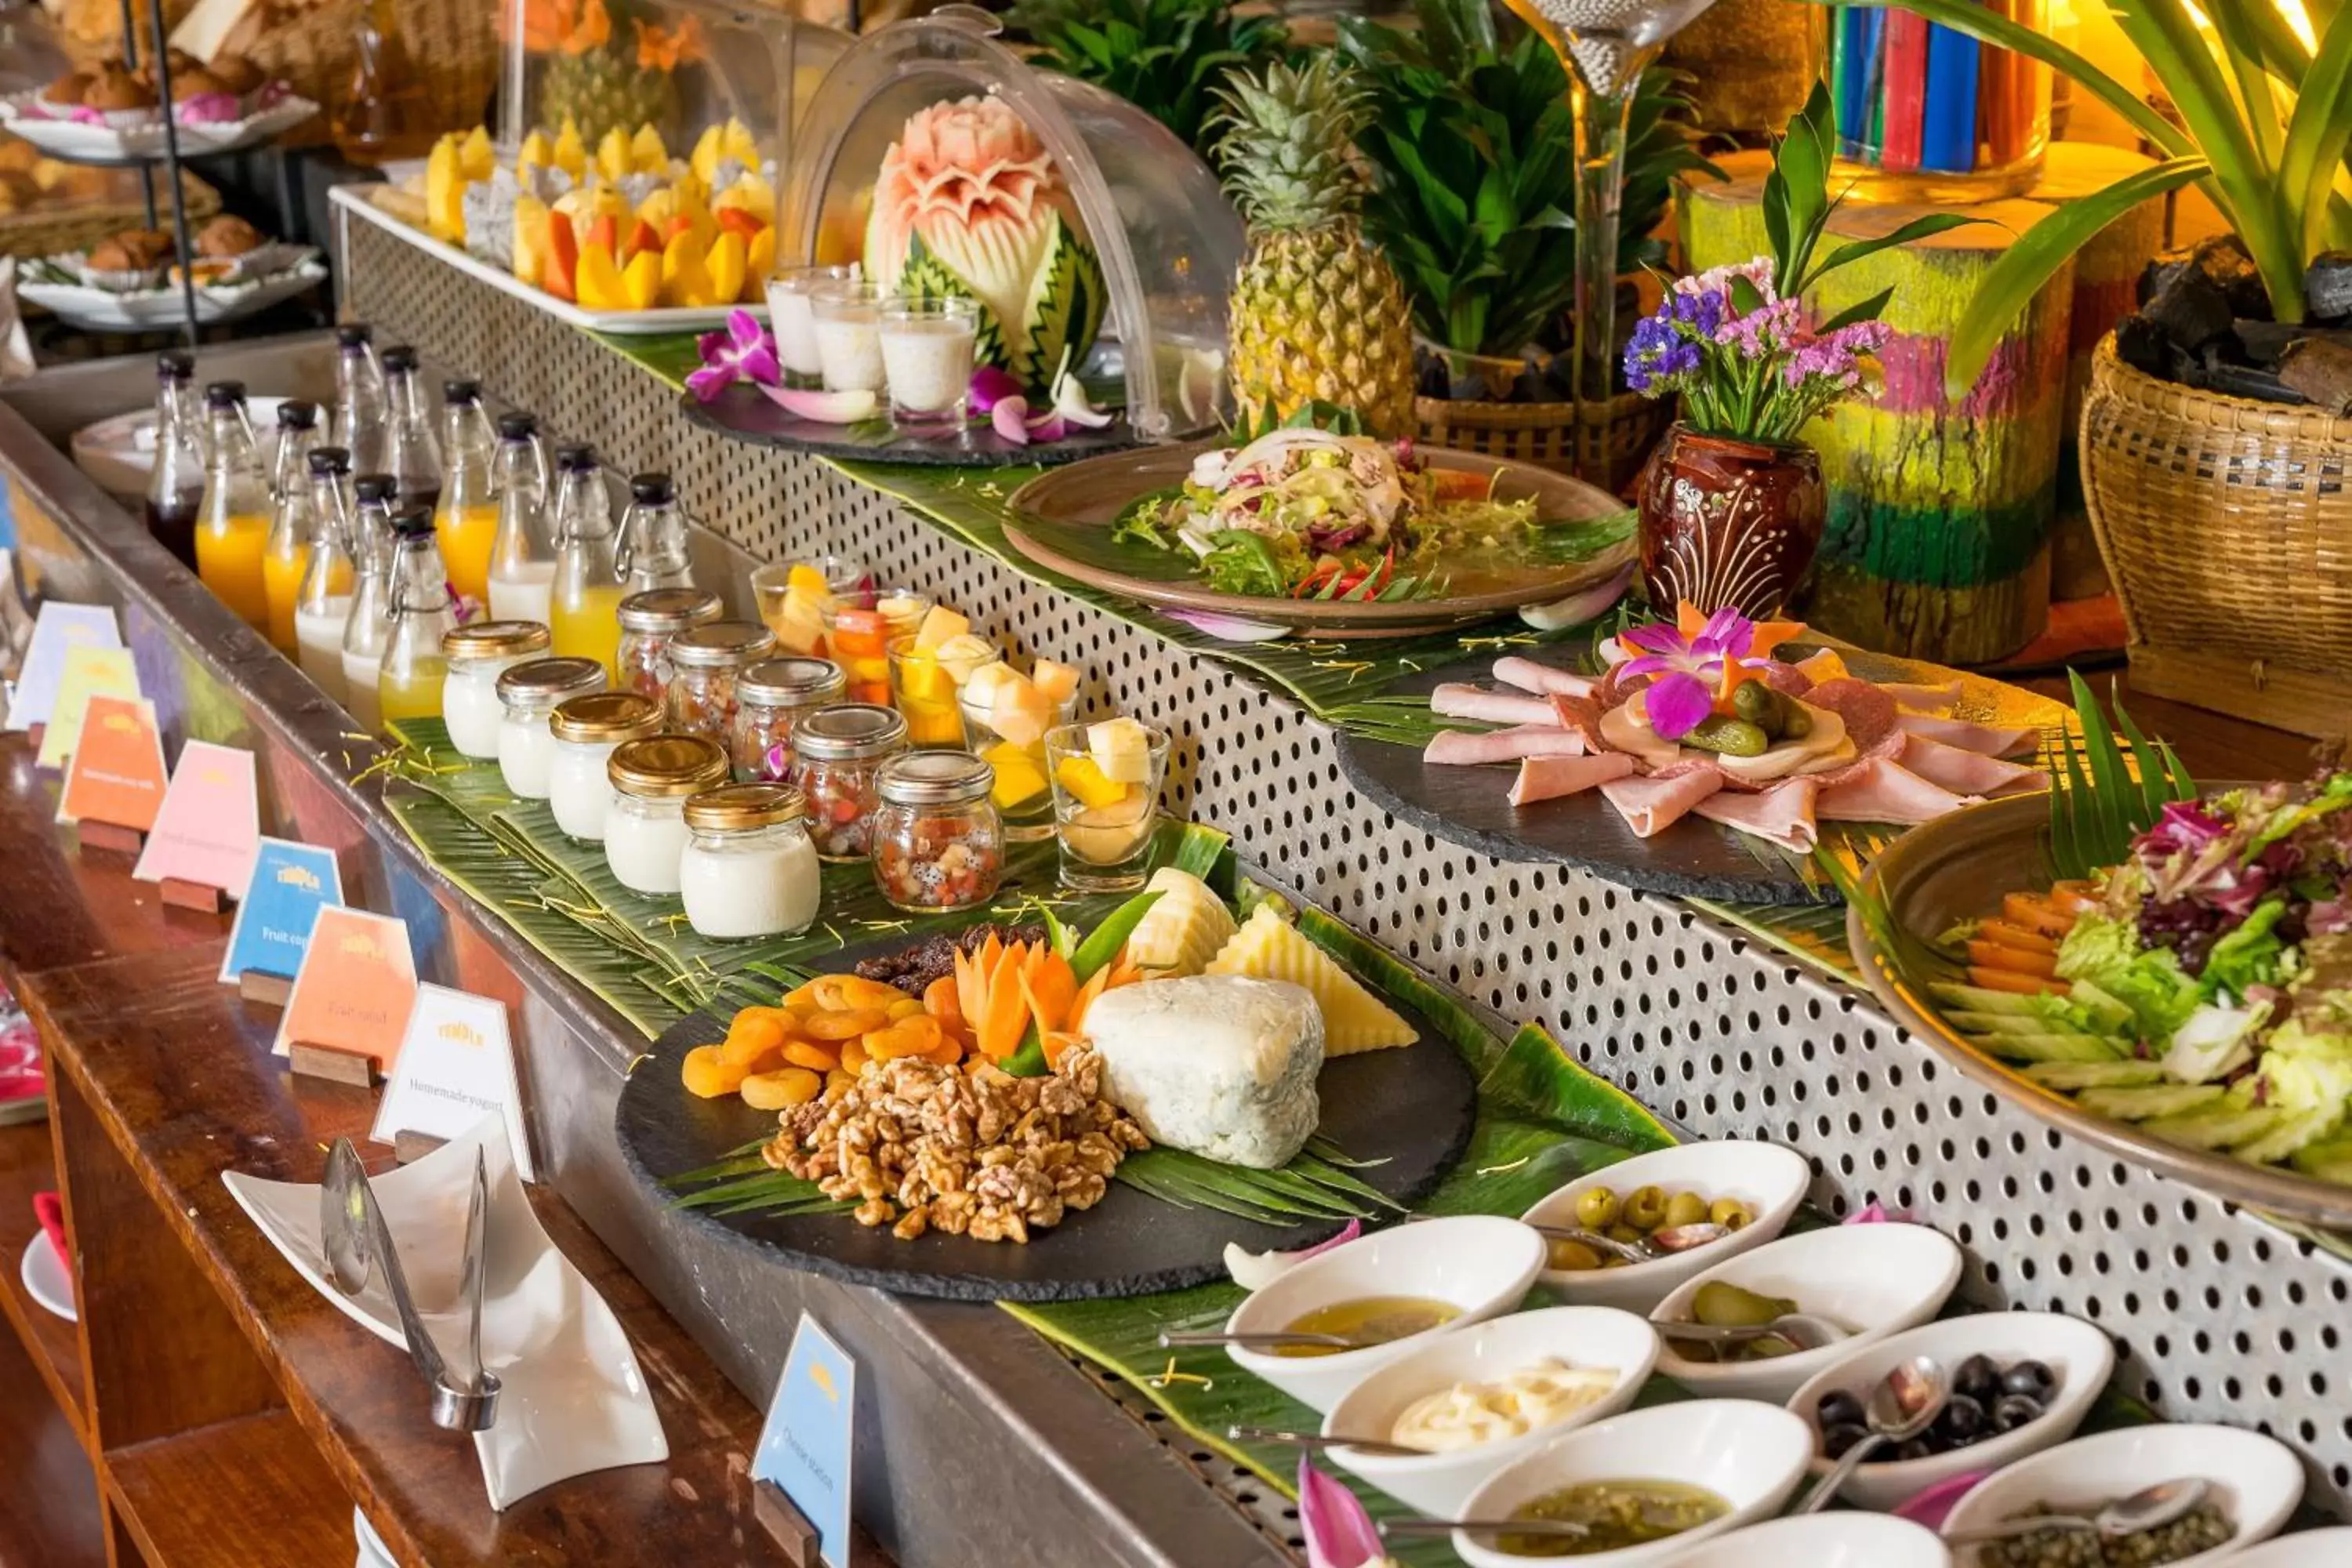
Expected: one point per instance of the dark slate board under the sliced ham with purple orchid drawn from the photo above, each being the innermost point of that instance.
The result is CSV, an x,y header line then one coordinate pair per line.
x,y
1692,859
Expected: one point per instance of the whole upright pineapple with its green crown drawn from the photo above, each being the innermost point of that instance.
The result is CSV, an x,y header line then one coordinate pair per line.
x,y
1316,311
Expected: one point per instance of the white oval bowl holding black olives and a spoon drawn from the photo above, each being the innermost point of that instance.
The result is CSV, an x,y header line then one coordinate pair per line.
x,y
2080,1355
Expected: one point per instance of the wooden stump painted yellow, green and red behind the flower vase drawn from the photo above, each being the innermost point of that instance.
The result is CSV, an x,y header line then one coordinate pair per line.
x,y
1939,511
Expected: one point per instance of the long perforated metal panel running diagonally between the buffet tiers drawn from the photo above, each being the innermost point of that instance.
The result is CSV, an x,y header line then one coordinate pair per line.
x,y
2217,1315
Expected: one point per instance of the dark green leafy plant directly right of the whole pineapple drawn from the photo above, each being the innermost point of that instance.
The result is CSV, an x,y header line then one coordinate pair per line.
x,y
1476,180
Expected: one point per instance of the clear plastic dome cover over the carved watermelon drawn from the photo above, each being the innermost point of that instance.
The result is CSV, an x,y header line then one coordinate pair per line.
x,y
1088,232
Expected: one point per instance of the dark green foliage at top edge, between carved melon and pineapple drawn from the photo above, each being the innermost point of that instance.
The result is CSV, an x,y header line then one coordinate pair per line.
x,y
1158,55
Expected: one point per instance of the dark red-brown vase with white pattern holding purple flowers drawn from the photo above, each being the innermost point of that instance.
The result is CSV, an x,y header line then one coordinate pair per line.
x,y
1730,523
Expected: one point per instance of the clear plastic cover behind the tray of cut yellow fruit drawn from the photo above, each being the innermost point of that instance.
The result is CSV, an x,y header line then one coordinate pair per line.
x,y
681,67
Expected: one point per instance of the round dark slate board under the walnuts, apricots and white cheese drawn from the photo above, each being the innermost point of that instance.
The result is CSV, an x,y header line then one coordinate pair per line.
x,y
1408,1108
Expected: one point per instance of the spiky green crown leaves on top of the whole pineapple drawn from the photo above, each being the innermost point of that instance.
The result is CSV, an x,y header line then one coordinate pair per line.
x,y
1285,140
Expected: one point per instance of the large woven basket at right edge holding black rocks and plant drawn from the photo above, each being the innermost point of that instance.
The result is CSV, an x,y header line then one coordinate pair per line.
x,y
2229,530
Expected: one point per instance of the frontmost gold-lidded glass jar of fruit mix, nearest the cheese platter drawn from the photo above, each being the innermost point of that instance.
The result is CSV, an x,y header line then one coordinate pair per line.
x,y
937,838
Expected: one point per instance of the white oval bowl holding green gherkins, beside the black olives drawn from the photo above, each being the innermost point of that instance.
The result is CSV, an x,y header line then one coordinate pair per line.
x,y
1876,1280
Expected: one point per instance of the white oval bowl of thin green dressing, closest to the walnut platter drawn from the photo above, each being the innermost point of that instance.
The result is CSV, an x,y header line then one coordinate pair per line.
x,y
1478,1264
